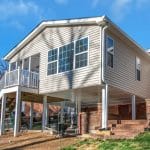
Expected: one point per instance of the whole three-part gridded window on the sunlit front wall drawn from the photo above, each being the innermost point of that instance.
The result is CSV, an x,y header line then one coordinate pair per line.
x,y
68,57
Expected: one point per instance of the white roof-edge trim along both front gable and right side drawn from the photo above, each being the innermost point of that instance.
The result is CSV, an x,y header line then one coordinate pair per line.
x,y
96,20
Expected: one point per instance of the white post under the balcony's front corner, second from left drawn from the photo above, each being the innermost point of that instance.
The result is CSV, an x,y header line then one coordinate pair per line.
x,y
17,112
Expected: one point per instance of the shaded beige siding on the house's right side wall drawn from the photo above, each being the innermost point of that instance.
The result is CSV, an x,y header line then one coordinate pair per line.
x,y
123,74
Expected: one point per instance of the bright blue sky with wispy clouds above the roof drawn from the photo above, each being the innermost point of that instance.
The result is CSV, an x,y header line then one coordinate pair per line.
x,y
19,17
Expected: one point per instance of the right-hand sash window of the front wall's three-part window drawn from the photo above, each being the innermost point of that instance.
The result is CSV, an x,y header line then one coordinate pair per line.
x,y
81,53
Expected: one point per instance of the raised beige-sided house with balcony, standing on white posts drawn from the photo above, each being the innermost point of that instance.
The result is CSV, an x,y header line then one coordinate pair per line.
x,y
89,62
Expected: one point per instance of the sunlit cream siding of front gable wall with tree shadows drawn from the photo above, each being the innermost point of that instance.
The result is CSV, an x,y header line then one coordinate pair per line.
x,y
53,37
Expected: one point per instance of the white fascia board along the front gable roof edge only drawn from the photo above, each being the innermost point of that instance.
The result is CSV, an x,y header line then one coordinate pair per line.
x,y
95,20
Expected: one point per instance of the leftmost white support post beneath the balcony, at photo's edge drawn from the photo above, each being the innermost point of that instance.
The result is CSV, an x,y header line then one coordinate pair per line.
x,y
3,107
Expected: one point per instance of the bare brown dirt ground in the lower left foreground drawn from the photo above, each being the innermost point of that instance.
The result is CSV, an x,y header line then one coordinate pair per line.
x,y
36,141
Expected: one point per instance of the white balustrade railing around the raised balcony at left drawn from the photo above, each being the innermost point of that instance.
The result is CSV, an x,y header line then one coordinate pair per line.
x,y
20,77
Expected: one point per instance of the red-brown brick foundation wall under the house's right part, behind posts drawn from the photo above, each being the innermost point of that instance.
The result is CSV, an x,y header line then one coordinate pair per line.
x,y
90,117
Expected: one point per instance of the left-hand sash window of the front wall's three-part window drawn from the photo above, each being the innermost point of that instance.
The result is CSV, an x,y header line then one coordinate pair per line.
x,y
52,61
